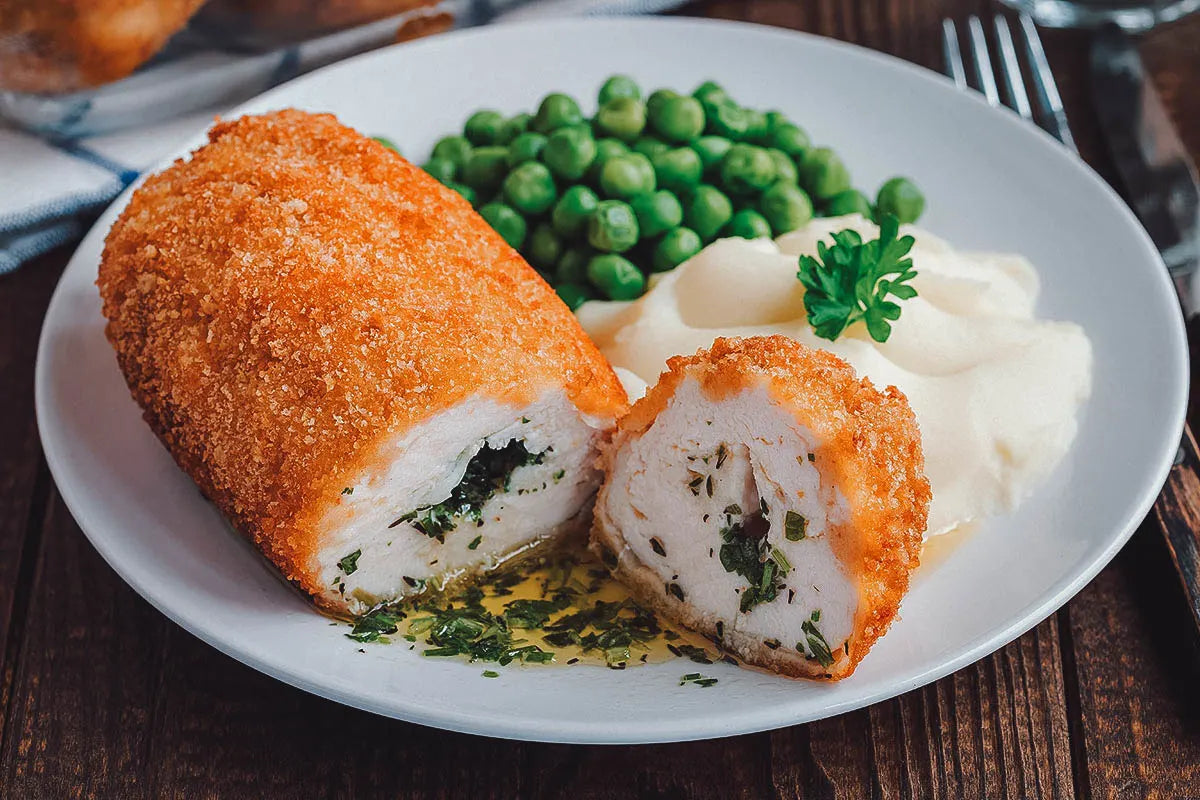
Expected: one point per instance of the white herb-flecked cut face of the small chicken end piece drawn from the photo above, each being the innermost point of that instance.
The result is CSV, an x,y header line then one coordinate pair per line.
x,y
725,503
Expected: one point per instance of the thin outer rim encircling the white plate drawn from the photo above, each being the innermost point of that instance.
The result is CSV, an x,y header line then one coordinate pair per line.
x,y
580,732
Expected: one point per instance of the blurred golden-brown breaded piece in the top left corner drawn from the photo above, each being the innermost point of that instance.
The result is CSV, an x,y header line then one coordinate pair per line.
x,y
51,46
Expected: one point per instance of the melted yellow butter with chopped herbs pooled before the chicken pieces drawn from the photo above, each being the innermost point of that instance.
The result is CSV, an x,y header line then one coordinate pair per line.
x,y
589,584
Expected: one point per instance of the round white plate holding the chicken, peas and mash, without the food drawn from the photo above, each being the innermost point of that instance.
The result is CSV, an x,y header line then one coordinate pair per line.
x,y
993,183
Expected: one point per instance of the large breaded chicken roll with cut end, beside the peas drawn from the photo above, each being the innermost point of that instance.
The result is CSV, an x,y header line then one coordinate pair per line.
x,y
361,374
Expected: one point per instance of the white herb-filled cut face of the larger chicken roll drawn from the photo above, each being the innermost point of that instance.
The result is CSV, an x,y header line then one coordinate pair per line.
x,y
460,494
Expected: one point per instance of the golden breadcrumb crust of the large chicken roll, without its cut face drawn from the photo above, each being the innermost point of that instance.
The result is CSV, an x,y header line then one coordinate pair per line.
x,y
296,293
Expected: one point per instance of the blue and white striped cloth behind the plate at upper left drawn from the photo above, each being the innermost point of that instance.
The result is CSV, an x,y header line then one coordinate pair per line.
x,y
52,184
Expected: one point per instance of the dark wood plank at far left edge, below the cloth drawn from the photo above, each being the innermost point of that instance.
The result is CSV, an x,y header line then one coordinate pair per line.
x,y
25,482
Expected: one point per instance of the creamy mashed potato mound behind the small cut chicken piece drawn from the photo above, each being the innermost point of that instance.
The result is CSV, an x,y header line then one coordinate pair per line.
x,y
995,390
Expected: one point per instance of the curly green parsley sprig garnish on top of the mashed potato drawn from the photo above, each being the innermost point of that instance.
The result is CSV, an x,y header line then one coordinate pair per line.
x,y
853,281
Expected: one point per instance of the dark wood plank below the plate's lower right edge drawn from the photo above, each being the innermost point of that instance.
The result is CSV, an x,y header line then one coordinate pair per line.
x,y
995,730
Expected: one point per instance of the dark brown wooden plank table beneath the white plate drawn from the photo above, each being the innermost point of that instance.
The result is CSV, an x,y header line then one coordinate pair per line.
x,y
101,696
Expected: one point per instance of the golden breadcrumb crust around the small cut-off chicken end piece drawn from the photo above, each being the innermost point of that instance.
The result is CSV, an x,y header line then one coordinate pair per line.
x,y
871,449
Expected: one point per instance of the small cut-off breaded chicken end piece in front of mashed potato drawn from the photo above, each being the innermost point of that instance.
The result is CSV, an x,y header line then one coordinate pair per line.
x,y
766,497
